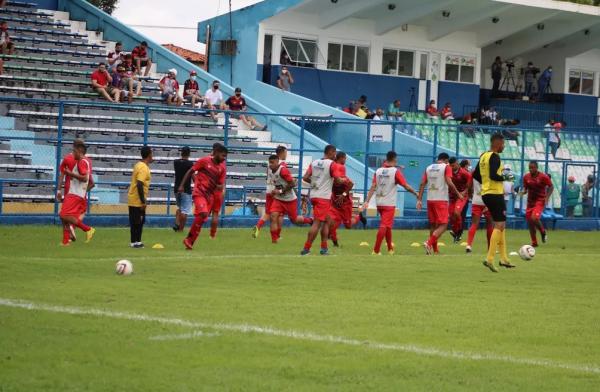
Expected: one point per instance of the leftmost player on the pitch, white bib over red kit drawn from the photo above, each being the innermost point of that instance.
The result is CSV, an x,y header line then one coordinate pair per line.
x,y
74,203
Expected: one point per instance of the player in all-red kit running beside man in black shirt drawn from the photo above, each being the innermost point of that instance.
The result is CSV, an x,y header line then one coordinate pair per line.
x,y
210,177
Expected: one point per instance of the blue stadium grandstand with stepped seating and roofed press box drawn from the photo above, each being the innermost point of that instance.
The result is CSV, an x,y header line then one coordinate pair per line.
x,y
347,58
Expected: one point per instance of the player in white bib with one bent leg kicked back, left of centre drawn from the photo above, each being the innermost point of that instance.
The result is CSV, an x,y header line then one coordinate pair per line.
x,y
284,198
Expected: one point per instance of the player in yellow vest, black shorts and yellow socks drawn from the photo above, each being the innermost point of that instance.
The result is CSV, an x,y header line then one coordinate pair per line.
x,y
489,173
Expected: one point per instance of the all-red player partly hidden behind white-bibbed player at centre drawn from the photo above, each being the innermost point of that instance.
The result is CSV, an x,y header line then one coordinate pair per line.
x,y
341,203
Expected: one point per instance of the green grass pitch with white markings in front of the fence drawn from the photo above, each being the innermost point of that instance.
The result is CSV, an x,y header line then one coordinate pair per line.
x,y
242,314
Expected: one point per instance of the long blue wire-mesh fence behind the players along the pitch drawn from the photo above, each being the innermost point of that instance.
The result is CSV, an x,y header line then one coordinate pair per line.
x,y
37,133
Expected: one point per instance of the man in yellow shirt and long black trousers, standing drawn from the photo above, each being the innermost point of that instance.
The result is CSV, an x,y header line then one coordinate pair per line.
x,y
137,197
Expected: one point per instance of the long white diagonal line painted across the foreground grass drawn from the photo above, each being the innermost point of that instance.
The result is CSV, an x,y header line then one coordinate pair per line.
x,y
305,336
